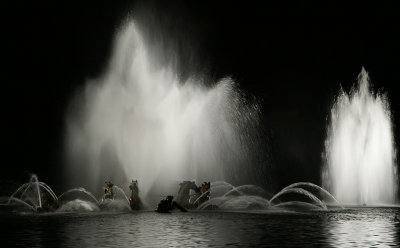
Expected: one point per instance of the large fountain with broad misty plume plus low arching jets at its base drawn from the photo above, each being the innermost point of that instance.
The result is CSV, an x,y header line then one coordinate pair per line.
x,y
140,119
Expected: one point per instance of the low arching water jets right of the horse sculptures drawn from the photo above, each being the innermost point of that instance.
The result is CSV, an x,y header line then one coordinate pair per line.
x,y
302,195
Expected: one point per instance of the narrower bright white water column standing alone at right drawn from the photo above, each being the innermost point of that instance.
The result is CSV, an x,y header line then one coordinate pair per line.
x,y
359,149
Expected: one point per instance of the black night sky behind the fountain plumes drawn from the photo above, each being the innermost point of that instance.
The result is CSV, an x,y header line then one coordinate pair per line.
x,y
291,58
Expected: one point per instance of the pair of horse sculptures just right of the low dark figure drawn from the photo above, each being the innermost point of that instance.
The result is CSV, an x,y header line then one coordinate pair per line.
x,y
200,195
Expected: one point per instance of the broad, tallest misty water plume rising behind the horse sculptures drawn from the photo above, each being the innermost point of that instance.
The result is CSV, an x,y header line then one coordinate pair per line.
x,y
140,120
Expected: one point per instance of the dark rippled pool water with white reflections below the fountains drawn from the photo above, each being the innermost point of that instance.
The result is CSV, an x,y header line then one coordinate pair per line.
x,y
362,227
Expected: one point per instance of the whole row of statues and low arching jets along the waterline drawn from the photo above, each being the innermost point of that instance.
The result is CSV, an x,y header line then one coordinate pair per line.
x,y
39,197
